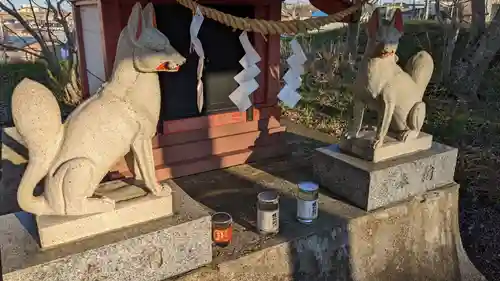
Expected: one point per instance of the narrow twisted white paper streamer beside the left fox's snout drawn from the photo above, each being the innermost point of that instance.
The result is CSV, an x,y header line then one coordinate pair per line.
x,y
198,48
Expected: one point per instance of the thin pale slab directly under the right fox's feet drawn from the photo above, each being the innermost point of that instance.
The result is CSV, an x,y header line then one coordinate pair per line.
x,y
390,149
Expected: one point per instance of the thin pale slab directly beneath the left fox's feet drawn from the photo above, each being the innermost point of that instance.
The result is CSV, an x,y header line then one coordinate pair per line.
x,y
130,210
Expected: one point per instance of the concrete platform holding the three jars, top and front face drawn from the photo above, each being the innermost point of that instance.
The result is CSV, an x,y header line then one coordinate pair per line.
x,y
416,239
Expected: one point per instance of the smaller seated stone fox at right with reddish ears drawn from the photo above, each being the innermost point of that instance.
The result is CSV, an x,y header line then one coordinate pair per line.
x,y
382,85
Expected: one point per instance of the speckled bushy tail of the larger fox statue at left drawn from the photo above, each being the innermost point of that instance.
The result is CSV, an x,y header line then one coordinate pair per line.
x,y
37,118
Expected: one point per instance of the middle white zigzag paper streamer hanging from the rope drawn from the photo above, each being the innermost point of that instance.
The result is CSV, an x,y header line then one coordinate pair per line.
x,y
246,78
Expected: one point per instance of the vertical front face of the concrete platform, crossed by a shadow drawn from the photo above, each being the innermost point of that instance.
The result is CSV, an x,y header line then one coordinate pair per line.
x,y
415,240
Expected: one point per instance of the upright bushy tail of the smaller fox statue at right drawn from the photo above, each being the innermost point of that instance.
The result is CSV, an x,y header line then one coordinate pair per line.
x,y
420,67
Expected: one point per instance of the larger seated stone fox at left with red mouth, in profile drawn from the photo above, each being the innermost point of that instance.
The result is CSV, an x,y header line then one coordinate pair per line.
x,y
75,156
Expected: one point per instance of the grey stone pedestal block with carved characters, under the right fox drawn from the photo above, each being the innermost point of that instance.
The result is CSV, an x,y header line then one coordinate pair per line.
x,y
371,185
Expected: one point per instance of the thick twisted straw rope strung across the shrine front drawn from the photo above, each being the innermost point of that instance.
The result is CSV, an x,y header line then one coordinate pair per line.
x,y
266,27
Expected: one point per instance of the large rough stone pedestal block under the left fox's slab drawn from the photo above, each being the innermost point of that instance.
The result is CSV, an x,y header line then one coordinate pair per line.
x,y
150,251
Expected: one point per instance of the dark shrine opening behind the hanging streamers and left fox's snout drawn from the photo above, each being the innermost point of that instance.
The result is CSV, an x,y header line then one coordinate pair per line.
x,y
222,54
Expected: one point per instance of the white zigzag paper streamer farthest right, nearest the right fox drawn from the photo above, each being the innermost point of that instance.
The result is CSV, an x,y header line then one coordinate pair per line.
x,y
289,95
